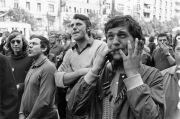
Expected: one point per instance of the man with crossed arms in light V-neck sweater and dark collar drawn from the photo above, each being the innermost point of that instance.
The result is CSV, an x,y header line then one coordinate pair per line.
x,y
79,59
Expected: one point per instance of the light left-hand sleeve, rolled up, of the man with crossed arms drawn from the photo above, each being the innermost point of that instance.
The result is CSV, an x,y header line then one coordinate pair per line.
x,y
64,67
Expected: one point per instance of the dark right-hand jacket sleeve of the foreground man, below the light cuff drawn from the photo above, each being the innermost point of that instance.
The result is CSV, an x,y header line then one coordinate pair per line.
x,y
147,101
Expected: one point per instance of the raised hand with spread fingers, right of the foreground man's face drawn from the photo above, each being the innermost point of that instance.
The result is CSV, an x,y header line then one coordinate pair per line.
x,y
131,62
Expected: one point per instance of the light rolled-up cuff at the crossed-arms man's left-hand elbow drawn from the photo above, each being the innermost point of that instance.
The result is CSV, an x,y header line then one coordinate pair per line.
x,y
59,79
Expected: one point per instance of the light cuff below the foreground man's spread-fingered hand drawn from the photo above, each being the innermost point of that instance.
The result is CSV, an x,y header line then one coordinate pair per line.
x,y
133,82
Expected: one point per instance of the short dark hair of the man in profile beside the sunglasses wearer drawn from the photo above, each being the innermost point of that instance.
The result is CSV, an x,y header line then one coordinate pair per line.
x,y
44,43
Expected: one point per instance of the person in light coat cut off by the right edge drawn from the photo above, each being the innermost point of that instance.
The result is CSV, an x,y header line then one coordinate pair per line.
x,y
172,84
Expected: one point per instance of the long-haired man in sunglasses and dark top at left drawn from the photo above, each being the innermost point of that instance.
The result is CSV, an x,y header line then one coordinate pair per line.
x,y
19,60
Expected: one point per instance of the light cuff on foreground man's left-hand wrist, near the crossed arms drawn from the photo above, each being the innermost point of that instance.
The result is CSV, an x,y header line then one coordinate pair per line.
x,y
90,77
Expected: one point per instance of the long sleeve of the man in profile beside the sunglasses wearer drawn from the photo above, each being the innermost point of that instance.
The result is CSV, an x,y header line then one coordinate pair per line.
x,y
46,93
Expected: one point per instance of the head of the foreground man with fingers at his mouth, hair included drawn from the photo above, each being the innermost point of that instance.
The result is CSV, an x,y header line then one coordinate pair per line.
x,y
118,34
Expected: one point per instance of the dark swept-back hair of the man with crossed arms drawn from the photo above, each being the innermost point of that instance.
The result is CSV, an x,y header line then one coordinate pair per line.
x,y
86,21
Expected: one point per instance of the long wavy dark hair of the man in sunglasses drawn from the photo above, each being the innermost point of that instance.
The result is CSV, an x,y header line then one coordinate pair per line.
x,y
12,36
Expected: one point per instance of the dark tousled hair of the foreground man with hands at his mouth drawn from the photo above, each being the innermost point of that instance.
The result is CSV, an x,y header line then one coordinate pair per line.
x,y
132,25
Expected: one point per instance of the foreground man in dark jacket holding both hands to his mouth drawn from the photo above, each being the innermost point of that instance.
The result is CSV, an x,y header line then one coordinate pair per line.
x,y
124,88
